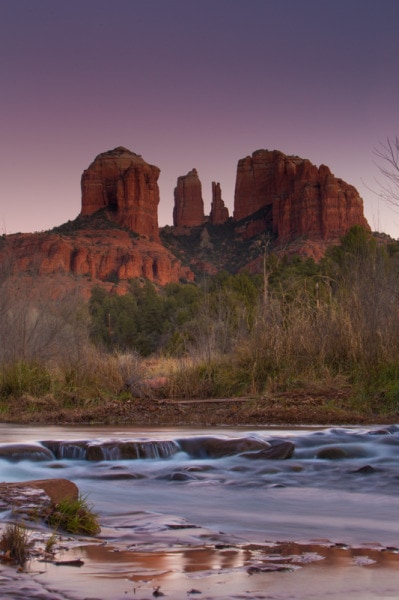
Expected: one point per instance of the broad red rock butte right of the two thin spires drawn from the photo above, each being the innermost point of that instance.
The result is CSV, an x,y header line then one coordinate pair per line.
x,y
306,201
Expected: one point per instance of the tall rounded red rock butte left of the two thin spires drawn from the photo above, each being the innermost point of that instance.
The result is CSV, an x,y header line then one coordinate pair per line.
x,y
126,186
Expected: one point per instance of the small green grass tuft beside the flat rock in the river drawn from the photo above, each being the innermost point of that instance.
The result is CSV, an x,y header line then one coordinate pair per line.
x,y
74,515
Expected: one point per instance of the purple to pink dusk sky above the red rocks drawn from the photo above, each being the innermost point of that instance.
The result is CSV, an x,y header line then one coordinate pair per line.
x,y
191,84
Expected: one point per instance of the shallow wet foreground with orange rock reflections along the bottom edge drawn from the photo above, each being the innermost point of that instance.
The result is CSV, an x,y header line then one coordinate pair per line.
x,y
301,569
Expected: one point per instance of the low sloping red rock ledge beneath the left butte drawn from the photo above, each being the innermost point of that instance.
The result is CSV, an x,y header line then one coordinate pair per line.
x,y
100,255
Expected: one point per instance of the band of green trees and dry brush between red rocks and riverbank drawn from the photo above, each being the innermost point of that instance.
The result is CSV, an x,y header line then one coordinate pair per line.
x,y
297,325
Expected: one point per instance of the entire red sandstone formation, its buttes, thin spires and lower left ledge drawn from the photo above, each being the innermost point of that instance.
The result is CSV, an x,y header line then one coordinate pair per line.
x,y
116,238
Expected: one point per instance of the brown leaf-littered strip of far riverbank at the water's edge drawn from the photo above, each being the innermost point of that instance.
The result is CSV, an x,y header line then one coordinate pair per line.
x,y
318,405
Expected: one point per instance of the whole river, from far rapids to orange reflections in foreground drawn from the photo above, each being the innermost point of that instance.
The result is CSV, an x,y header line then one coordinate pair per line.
x,y
190,503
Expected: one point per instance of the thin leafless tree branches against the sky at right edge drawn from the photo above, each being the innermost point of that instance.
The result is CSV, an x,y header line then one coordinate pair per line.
x,y
388,164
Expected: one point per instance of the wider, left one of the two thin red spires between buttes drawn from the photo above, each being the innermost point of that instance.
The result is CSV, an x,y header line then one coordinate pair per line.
x,y
189,206
